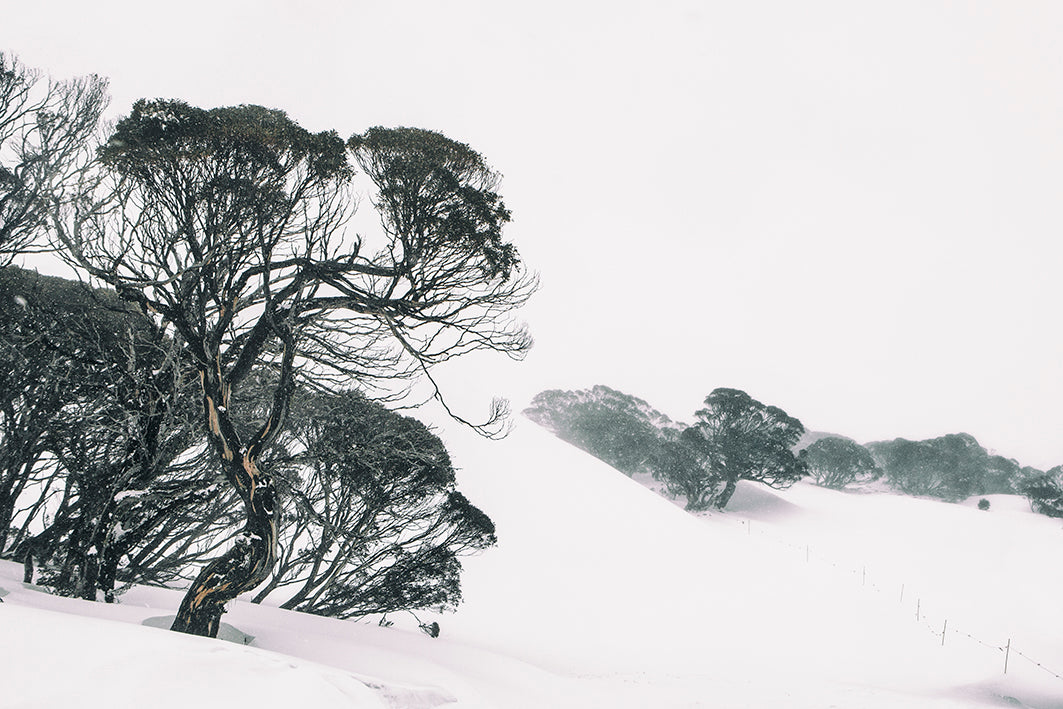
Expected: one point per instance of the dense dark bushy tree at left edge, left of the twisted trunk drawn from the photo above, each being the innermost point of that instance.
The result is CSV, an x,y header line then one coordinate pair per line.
x,y
86,418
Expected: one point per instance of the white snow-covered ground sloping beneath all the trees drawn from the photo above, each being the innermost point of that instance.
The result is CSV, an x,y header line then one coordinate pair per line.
x,y
601,594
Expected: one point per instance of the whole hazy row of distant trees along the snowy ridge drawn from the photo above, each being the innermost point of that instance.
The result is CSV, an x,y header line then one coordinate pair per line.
x,y
736,437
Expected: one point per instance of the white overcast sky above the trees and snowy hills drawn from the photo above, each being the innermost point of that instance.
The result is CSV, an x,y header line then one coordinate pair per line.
x,y
850,210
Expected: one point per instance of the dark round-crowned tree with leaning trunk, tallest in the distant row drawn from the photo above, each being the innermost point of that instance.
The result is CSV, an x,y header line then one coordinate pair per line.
x,y
738,438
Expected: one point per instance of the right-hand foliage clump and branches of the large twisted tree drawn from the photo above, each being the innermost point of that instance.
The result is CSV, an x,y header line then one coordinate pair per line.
x,y
446,282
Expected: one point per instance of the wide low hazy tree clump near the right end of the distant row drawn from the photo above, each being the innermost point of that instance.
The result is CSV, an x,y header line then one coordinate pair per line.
x,y
952,468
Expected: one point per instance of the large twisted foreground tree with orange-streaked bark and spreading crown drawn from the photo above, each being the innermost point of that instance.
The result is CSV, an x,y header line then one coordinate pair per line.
x,y
228,227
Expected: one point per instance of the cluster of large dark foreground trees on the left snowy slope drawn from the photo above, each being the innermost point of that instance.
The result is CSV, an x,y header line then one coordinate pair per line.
x,y
214,376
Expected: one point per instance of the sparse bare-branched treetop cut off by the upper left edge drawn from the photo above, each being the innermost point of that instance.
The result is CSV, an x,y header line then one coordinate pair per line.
x,y
47,134
